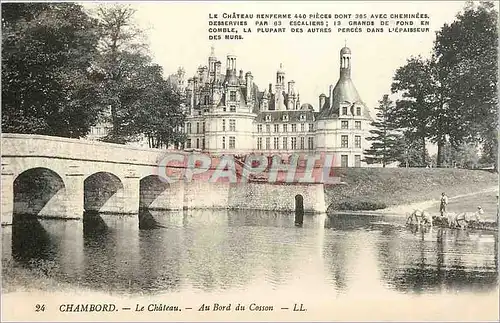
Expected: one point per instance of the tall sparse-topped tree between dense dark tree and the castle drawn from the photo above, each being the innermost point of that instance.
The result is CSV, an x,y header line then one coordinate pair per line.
x,y
140,101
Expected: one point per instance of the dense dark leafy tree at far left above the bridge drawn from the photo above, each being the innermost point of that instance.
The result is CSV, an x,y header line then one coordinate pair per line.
x,y
47,50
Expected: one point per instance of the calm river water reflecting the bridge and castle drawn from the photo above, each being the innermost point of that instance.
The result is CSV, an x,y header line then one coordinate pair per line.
x,y
215,251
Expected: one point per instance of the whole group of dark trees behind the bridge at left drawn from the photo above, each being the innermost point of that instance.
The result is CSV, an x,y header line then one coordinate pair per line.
x,y
65,69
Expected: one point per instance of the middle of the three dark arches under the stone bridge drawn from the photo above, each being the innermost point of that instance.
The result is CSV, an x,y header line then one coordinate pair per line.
x,y
103,192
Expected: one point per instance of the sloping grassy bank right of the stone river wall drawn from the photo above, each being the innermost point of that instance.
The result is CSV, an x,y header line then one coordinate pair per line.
x,y
378,188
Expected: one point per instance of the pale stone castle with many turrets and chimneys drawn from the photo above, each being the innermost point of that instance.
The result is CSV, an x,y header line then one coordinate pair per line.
x,y
228,114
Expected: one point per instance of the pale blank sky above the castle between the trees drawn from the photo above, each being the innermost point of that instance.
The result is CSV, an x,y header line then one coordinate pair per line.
x,y
177,34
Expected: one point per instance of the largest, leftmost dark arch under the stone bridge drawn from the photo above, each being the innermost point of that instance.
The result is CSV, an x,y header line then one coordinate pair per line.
x,y
39,191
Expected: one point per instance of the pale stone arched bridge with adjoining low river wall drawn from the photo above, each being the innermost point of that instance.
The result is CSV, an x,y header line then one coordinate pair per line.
x,y
61,177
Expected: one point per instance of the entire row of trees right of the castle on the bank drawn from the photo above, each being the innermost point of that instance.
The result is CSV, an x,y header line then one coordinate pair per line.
x,y
449,99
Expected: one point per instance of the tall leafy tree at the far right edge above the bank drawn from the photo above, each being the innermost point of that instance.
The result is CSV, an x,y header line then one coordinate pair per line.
x,y
467,53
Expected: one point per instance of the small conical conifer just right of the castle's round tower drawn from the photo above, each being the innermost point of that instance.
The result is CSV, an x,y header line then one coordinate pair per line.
x,y
384,148
